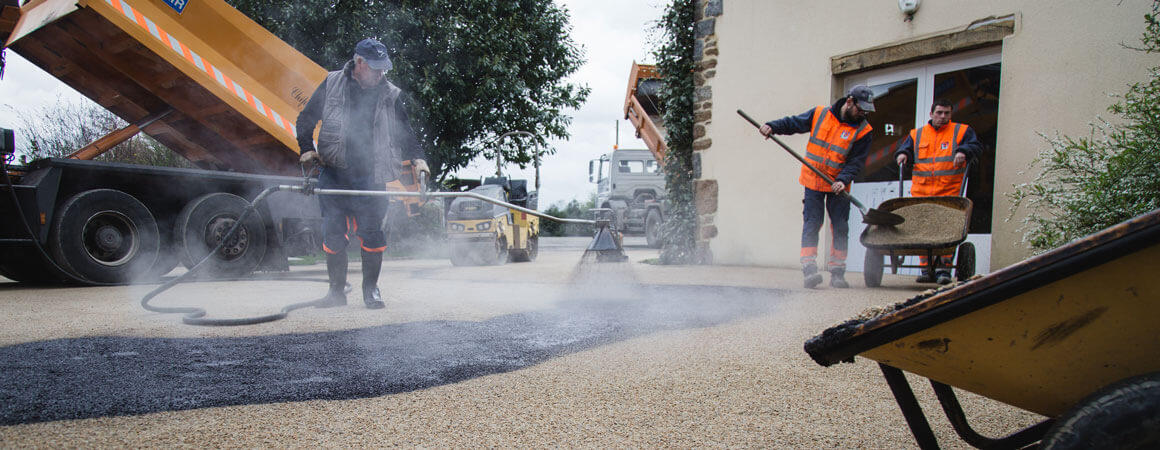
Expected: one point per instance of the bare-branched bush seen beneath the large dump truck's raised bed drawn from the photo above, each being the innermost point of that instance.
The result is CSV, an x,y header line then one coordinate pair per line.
x,y
59,130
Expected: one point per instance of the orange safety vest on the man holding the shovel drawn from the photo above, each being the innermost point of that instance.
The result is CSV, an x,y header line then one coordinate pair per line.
x,y
830,142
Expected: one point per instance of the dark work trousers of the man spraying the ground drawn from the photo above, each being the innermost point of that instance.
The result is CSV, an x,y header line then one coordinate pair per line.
x,y
344,215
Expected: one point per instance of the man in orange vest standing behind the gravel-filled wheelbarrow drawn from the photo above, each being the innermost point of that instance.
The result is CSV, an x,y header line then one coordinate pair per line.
x,y
944,149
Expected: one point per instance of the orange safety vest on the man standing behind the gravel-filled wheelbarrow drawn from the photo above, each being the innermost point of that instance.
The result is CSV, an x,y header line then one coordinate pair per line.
x,y
934,172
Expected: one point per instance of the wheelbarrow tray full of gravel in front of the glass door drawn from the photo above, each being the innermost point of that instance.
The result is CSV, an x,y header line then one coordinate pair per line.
x,y
903,246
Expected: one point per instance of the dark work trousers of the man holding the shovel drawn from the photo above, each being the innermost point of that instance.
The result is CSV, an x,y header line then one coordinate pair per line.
x,y
815,207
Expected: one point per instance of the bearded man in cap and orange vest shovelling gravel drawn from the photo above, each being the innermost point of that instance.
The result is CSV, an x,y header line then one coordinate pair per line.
x,y
839,144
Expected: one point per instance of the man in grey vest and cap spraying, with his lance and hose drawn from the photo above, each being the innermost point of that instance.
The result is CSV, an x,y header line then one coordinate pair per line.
x,y
365,132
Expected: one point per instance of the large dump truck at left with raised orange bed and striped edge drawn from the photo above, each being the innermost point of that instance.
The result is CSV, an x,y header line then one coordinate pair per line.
x,y
200,78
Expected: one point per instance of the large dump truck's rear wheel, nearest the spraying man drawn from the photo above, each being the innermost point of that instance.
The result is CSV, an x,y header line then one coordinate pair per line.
x,y
205,222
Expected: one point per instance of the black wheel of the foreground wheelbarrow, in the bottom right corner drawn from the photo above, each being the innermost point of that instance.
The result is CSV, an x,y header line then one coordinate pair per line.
x,y
1123,416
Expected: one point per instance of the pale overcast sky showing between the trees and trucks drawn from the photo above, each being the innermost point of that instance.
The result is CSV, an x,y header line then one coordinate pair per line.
x,y
613,34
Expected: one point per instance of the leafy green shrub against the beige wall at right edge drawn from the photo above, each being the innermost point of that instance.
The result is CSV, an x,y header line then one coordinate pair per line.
x,y
1086,185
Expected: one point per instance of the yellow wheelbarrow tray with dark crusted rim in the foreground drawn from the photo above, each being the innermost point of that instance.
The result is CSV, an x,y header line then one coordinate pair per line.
x,y
1040,336
